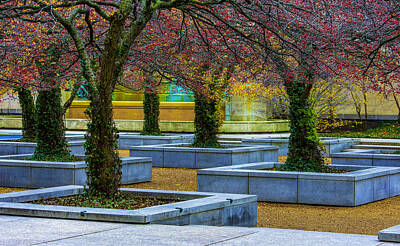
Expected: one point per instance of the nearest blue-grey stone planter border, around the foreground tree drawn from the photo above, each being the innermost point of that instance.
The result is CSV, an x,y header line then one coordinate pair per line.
x,y
199,208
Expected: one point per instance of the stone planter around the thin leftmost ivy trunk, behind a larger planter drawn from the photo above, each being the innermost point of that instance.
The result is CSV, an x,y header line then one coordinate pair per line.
x,y
17,148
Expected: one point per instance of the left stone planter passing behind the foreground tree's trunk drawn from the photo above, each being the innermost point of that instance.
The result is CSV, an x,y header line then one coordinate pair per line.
x,y
16,172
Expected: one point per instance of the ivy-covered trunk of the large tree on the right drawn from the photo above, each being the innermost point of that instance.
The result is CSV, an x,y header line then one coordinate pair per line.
x,y
304,145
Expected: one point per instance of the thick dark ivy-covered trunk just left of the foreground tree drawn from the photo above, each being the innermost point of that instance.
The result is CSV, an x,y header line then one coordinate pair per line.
x,y
50,129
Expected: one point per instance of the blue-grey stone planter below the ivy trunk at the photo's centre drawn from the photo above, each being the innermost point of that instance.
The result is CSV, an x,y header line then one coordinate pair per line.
x,y
179,156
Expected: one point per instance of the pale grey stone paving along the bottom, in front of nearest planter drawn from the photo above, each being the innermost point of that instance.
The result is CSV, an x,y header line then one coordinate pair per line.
x,y
16,230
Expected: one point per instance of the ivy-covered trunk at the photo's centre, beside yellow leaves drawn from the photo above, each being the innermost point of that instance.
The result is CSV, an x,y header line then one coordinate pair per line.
x,y
206,122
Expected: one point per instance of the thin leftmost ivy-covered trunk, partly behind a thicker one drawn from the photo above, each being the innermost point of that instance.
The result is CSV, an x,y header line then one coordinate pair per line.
x,y
28,114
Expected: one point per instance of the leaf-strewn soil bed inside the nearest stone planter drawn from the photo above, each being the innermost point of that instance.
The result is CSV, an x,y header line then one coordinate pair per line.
x,y
119,201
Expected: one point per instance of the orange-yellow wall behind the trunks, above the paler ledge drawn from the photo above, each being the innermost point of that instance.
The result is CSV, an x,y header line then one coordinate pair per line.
x,y
132,110
